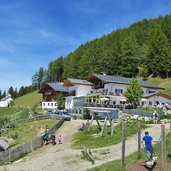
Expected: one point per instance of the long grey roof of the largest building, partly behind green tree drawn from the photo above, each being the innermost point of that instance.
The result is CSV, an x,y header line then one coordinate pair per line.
x,y
124,80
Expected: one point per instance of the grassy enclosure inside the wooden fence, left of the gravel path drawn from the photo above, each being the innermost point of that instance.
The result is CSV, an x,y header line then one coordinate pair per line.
x,y
27,131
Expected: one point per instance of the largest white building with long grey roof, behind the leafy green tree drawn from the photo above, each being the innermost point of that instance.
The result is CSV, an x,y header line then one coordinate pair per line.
x,y
114,87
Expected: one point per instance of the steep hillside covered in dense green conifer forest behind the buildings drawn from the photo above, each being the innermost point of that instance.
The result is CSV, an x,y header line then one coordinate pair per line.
x,y
141,50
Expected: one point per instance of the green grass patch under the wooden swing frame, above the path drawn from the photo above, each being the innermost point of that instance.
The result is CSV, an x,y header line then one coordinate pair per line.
x,y
91,139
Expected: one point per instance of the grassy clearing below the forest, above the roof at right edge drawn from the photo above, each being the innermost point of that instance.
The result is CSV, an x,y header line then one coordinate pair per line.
x,y
165,83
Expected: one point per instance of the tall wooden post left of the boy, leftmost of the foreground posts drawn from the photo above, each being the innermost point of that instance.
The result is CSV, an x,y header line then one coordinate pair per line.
x,y
123,144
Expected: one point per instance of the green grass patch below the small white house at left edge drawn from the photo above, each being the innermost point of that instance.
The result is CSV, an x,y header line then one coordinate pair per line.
x,y
13,113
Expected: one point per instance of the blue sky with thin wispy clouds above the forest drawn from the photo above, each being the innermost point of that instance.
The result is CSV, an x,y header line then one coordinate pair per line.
x,y
35,32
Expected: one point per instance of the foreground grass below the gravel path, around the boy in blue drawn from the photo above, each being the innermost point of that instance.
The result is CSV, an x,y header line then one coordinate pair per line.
x,y
116,164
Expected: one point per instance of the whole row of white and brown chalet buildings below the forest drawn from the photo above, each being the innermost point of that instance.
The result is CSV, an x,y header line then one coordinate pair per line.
x,y
99,90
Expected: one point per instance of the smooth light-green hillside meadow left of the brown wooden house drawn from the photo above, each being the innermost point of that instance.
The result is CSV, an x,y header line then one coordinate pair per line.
x,y
30,100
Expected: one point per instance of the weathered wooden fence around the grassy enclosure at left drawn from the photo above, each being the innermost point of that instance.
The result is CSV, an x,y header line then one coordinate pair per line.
x,y
11,154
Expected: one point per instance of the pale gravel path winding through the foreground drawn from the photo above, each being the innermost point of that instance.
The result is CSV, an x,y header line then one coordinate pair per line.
x,y
63,158
